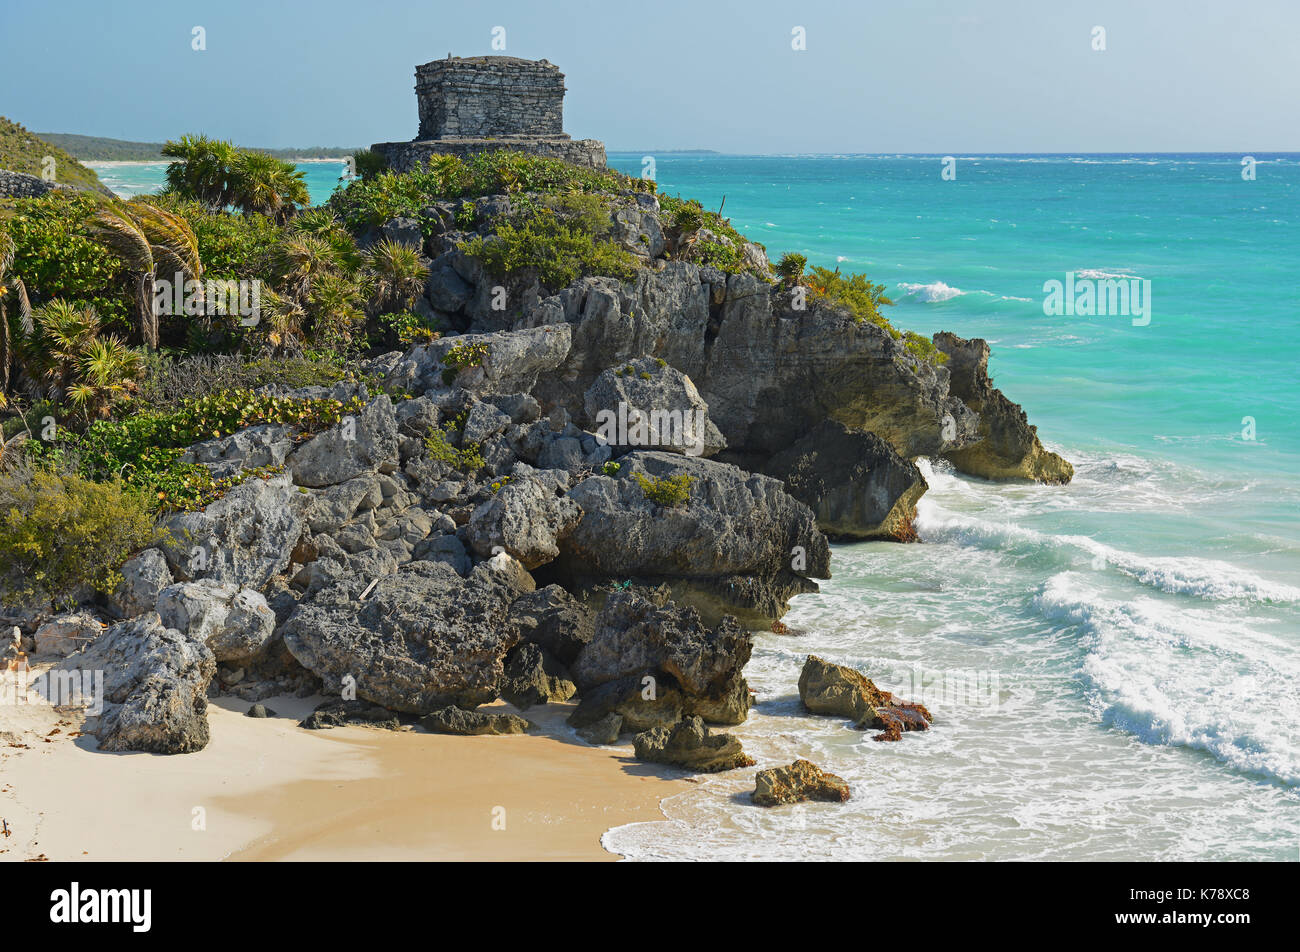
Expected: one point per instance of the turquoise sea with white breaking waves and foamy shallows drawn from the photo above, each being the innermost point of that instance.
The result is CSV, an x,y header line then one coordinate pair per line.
x,y
1113,665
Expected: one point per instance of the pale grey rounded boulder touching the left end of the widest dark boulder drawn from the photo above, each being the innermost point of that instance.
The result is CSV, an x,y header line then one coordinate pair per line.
x,y
525,518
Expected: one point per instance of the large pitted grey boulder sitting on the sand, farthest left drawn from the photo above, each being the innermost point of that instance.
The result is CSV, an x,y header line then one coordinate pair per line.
x,y
155,683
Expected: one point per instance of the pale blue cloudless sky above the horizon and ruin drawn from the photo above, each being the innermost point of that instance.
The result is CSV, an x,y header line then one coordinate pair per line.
x,y
878,76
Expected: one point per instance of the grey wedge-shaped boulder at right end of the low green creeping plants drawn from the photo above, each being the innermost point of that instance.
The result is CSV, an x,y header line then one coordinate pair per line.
x,y
362,444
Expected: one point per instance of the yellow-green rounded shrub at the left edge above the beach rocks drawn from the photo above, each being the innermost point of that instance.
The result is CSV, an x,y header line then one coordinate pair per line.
x,y
60,531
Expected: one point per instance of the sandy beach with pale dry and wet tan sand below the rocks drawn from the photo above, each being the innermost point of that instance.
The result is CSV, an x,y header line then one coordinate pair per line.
x,y
270,790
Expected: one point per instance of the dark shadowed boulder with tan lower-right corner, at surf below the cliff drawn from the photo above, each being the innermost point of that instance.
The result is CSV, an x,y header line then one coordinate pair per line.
x,y
855,482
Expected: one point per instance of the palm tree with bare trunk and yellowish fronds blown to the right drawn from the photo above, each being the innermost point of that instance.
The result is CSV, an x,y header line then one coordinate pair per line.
x,y
150,241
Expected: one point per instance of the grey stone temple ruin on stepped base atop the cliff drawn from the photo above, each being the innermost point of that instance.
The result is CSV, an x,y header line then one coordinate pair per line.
x,y
480,103
